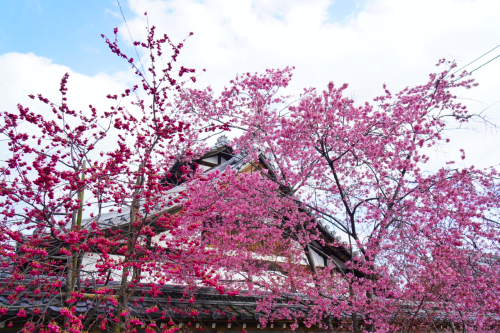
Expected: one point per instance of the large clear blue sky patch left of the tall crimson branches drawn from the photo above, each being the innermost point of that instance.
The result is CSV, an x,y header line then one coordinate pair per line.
x,y
66,31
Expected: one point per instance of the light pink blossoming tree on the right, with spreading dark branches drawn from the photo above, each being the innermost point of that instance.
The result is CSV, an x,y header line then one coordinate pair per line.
x,y
423,243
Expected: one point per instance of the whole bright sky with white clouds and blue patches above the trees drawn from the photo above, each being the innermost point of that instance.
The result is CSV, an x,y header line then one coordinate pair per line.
x,y
361,42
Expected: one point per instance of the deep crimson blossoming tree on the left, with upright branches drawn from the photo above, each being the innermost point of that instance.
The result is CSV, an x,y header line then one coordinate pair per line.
x,y
65,164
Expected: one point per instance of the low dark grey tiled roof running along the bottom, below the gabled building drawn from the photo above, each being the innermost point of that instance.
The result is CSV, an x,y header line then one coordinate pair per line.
x,y
208,304
